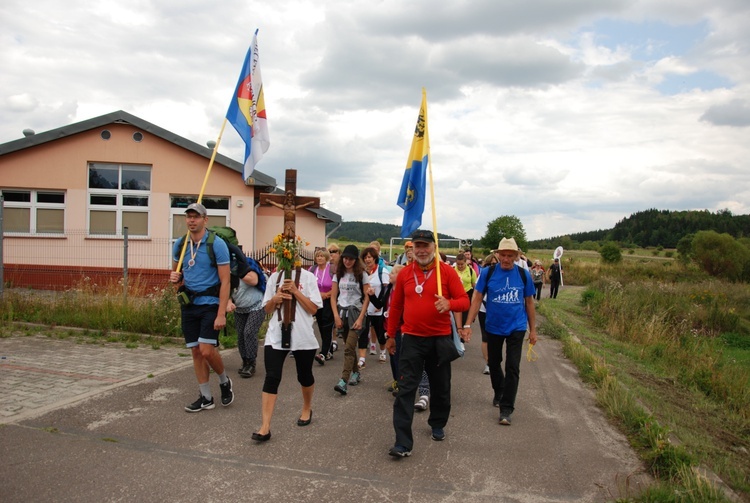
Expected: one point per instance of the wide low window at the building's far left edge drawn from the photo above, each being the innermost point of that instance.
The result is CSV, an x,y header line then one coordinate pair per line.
x,y
34,212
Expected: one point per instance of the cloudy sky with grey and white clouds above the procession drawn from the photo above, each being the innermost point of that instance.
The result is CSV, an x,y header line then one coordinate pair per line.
x,y
570,115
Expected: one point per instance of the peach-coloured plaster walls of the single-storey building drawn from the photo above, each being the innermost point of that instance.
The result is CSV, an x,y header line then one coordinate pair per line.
x,y
63,165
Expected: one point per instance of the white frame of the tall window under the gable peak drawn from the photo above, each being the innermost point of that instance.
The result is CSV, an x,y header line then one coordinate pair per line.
x,y
118,208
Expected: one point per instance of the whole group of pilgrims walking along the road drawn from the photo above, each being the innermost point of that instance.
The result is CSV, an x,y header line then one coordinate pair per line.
x,y
411,313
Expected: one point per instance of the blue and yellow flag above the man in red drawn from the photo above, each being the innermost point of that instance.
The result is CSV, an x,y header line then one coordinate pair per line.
x,y
413,188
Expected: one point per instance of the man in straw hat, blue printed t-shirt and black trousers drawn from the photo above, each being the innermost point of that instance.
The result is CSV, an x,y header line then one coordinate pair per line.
x,y
510,310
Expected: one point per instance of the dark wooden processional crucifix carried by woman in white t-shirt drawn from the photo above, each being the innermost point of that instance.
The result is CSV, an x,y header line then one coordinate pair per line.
x,y
289,203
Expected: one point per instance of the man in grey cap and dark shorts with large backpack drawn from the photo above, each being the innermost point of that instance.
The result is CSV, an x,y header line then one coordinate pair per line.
x,y
203,295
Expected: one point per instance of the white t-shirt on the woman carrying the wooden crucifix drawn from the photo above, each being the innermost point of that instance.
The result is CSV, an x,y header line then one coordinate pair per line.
x,y
303,336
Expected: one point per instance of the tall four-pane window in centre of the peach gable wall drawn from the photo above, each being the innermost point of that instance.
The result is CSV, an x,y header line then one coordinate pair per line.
x,y
119,195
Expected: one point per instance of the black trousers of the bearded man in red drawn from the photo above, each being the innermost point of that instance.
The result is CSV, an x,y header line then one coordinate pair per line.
x,y
420,354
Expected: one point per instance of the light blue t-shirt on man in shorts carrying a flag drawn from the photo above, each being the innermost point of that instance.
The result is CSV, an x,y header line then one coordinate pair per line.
x,y
202,275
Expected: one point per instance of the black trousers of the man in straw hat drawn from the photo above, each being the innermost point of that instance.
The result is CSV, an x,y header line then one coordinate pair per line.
x,y
505,384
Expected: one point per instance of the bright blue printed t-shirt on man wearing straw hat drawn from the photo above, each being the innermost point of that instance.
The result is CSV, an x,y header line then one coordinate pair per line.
x,y
506,294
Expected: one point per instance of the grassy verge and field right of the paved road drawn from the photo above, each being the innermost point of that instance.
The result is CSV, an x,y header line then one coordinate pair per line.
x,y
666,368
